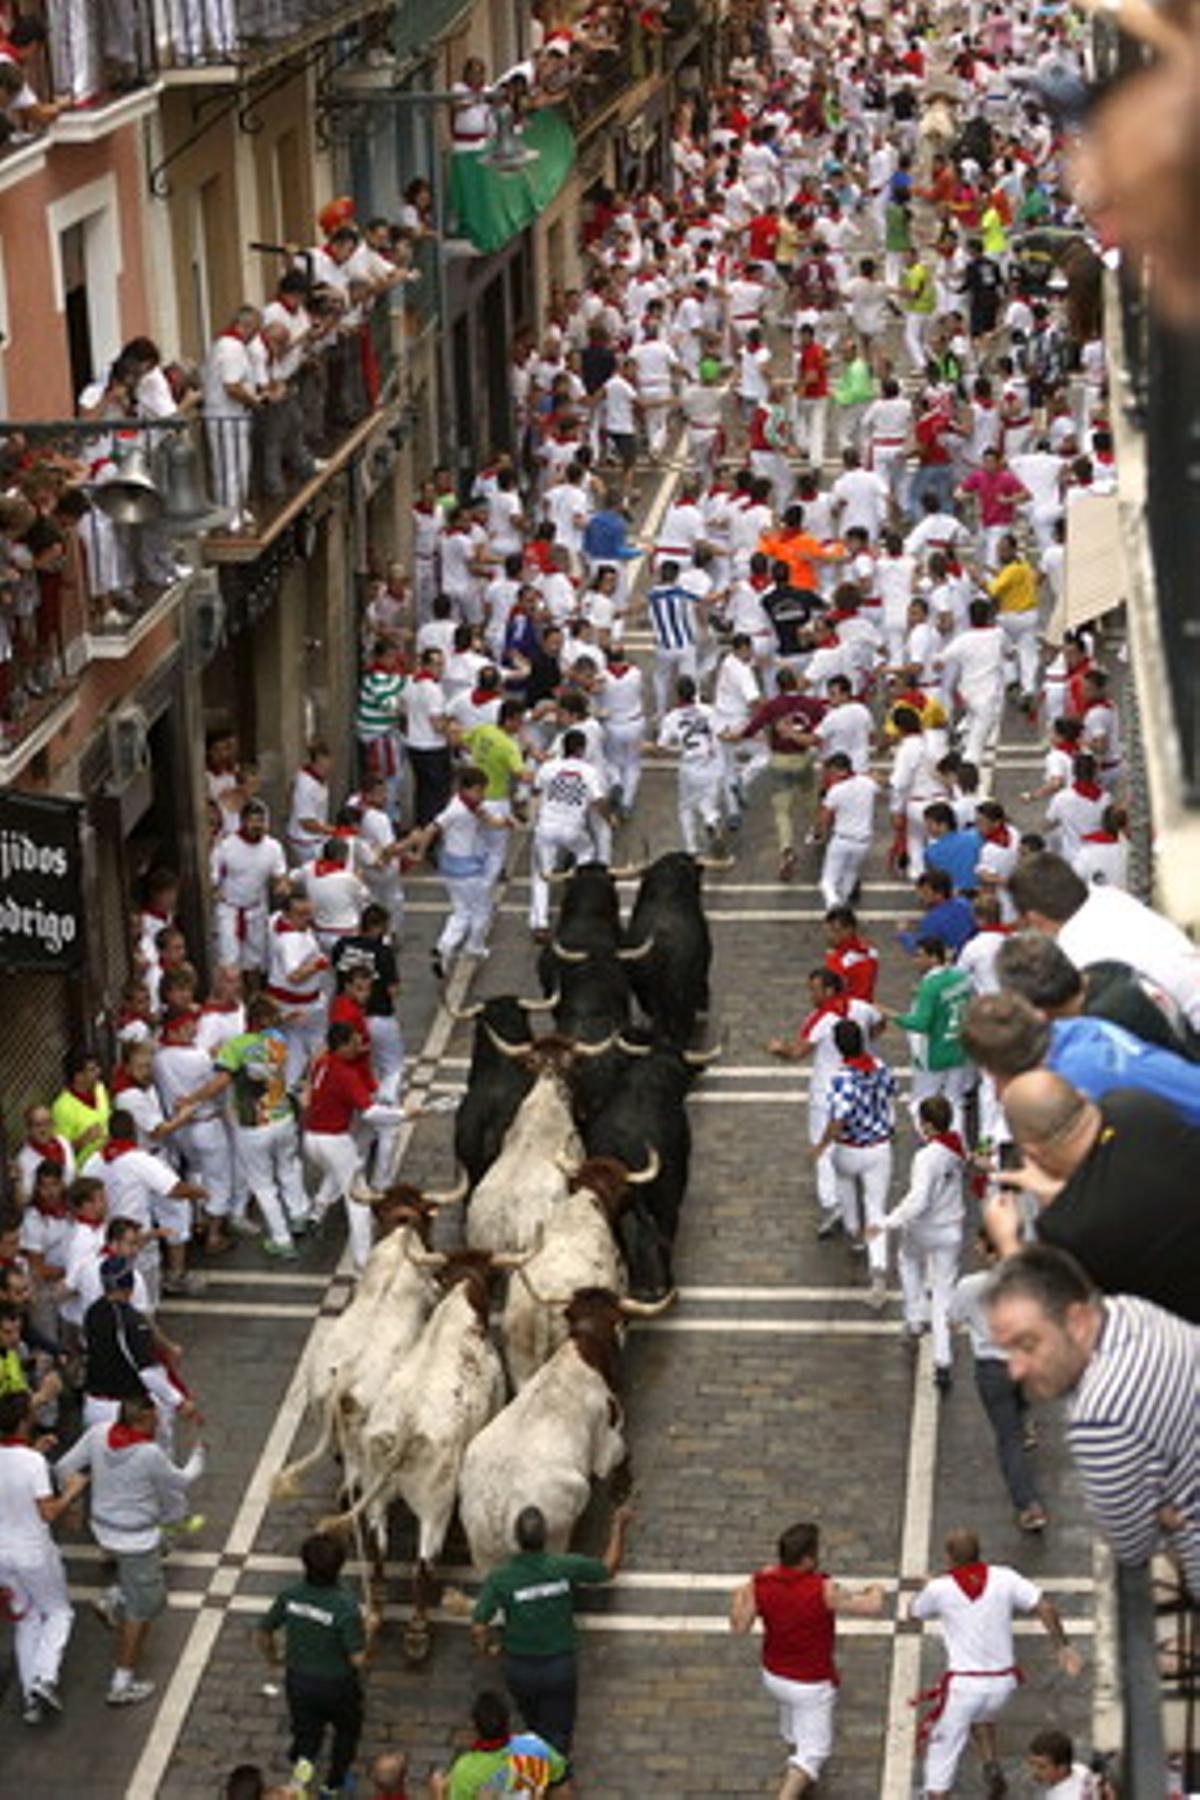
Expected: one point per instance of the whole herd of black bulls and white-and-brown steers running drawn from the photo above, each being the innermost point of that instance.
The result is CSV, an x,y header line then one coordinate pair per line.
x,y
575,1149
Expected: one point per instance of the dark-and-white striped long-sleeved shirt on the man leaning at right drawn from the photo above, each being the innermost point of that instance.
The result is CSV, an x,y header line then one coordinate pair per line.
x,y
1134,1432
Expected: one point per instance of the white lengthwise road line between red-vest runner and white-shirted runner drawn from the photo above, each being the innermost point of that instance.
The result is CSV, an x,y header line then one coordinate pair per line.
x,y
915,1549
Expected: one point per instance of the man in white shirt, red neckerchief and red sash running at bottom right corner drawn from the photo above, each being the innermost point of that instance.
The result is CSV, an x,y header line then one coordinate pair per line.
x,y
976,1606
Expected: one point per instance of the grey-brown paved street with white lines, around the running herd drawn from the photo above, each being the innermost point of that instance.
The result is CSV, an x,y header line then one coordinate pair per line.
x,y
771,1392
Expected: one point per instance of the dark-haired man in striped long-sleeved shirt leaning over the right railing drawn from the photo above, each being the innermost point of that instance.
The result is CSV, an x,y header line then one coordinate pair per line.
x,y
1131,1374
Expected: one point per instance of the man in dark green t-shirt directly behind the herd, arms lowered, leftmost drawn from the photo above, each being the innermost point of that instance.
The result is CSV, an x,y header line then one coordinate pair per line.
x,y
327,1646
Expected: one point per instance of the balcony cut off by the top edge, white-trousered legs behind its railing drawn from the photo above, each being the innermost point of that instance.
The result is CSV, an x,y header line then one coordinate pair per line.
x,y
204,40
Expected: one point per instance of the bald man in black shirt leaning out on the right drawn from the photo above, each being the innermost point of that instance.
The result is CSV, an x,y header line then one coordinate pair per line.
x,y
1116,1183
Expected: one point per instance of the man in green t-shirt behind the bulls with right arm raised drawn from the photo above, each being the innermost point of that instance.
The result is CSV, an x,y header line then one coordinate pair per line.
x,y
537,1594
